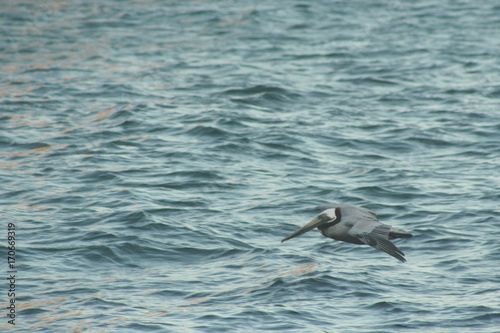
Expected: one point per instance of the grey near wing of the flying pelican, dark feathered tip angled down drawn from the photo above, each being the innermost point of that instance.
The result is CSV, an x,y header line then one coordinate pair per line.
x,y
376,235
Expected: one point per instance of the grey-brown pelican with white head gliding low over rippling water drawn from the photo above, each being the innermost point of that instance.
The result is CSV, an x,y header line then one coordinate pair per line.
x,y
357,225
